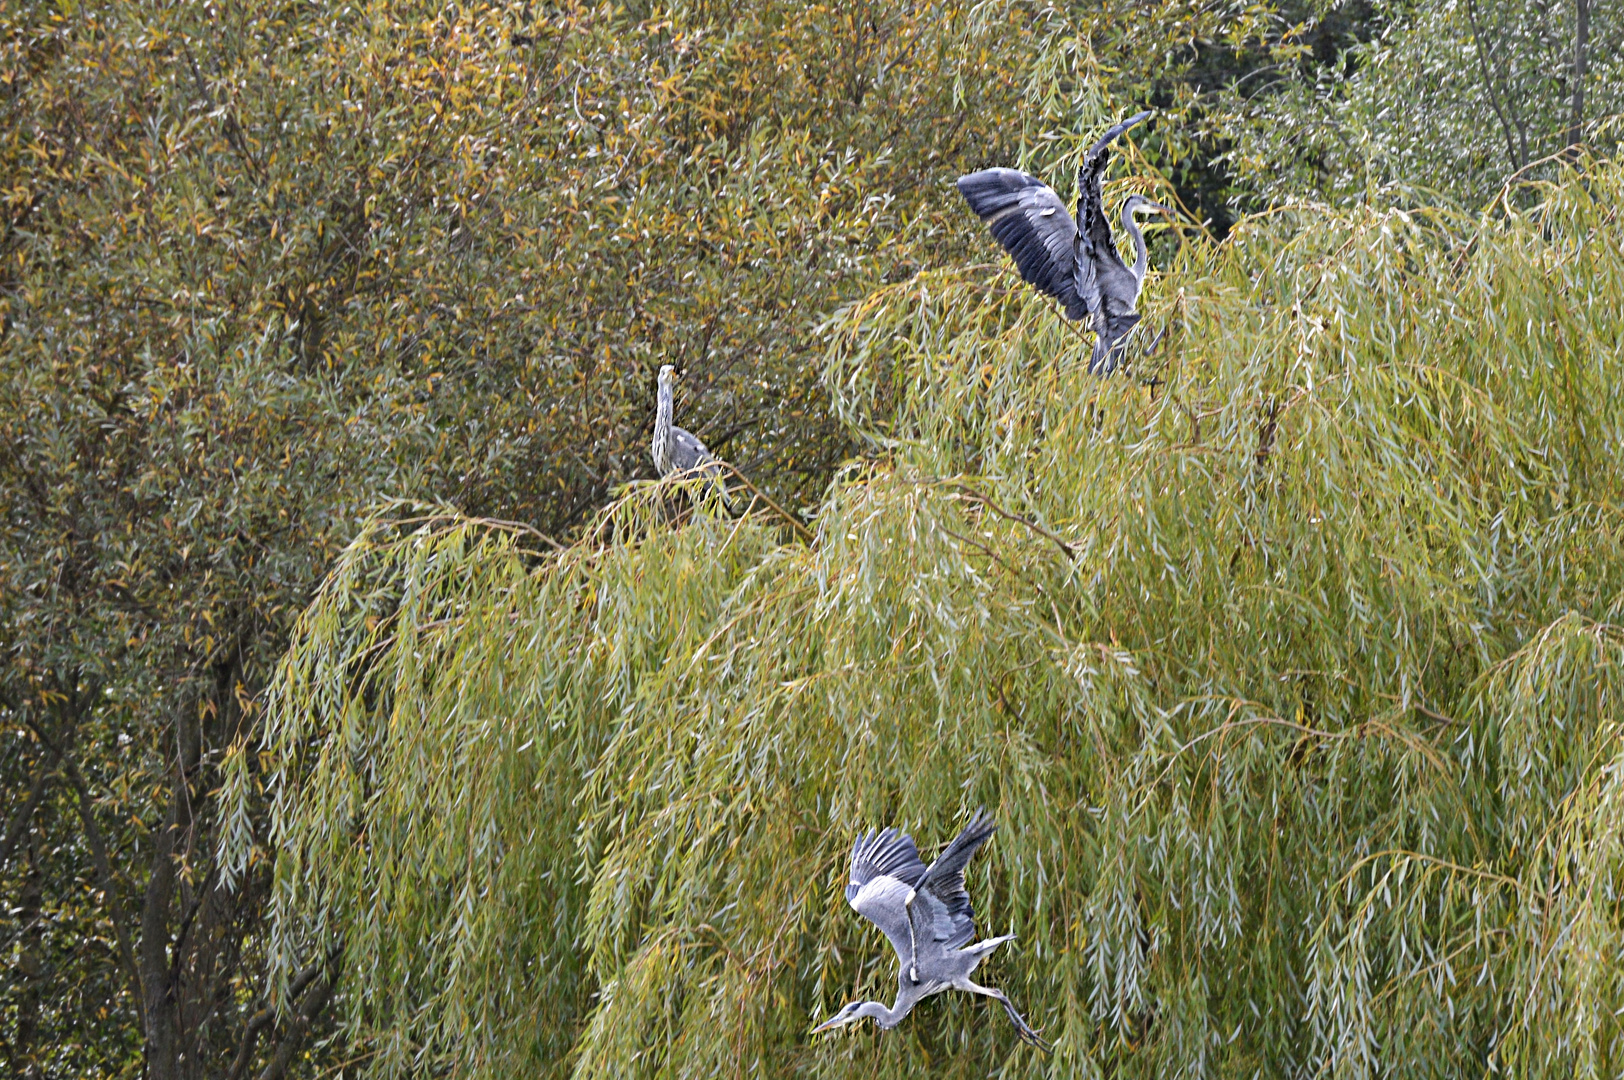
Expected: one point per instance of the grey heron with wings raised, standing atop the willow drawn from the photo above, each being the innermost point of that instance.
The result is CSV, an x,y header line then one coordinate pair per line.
x,y
1078,262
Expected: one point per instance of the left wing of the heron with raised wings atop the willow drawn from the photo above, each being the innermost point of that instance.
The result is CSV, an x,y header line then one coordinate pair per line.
x,y
1030,222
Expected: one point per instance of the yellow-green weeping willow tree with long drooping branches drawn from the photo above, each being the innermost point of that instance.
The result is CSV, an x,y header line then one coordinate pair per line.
x,y
1290,667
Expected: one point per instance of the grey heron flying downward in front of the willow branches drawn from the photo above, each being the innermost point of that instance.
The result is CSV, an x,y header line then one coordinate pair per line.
x,y
925,912
